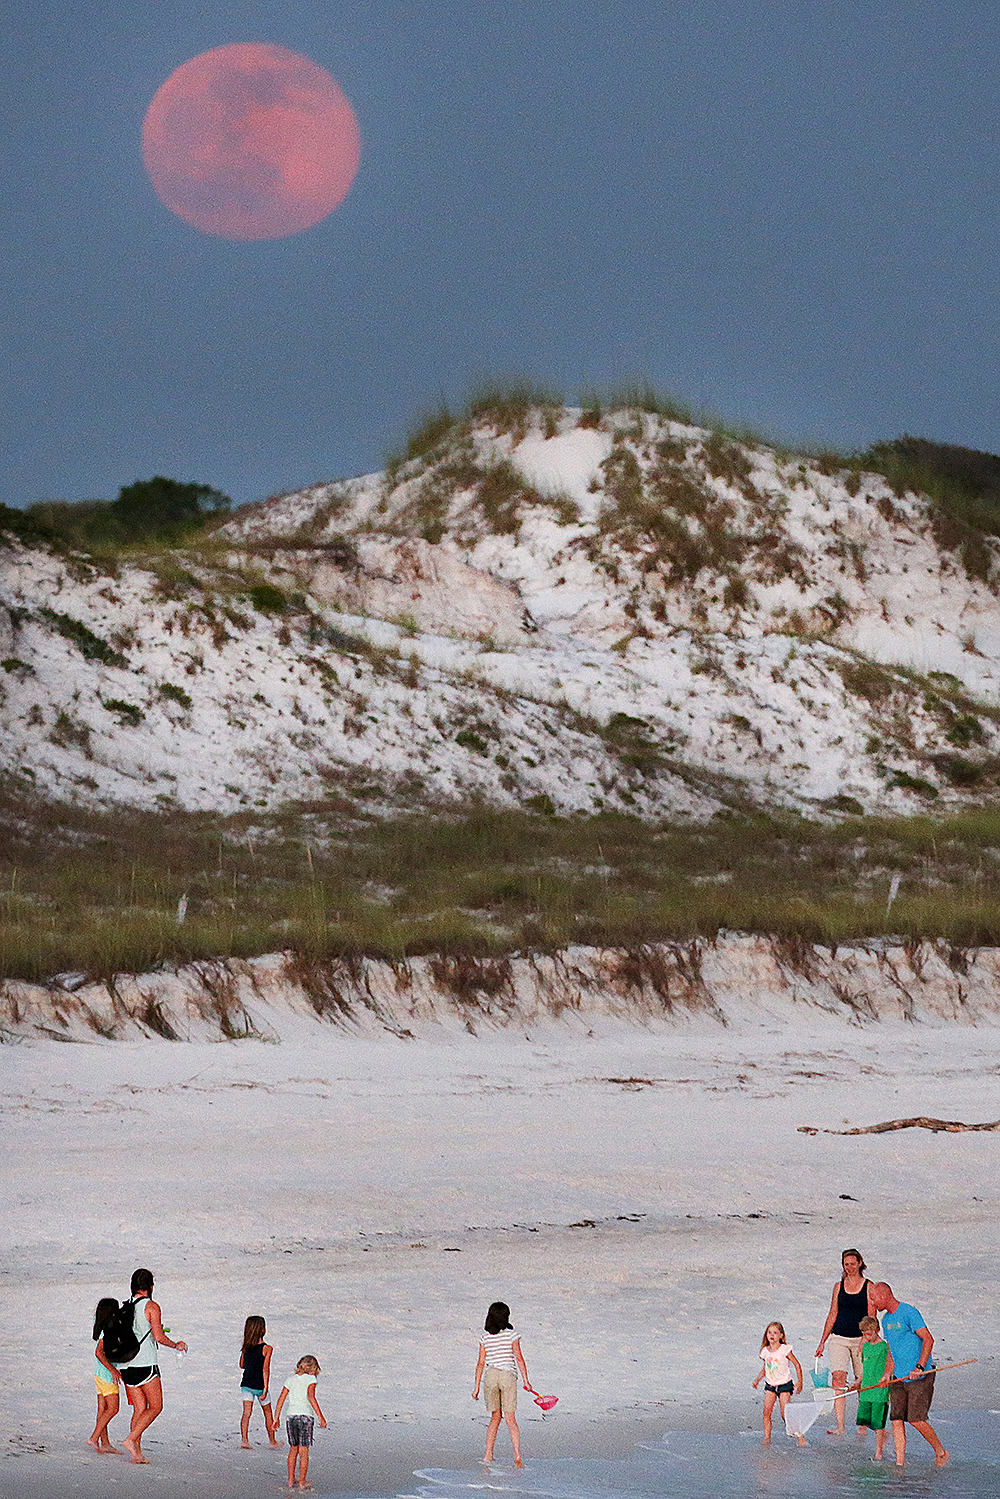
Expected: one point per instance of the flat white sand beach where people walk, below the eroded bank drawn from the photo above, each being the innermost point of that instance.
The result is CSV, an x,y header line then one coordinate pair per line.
x,y
642,1198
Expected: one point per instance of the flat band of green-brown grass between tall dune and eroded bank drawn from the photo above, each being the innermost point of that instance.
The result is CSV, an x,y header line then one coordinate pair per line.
x,y
82,893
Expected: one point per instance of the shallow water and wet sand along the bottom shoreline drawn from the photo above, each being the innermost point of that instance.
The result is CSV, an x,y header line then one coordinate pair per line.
x,y
612,1456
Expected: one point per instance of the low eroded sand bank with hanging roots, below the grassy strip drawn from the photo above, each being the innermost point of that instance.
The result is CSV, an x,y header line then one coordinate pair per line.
x,y
732,981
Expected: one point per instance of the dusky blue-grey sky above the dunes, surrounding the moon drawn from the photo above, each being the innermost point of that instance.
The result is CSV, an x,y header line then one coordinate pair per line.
x,y
782,212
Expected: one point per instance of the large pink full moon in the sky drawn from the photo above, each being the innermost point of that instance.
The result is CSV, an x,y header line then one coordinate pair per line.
x,y
251,143
